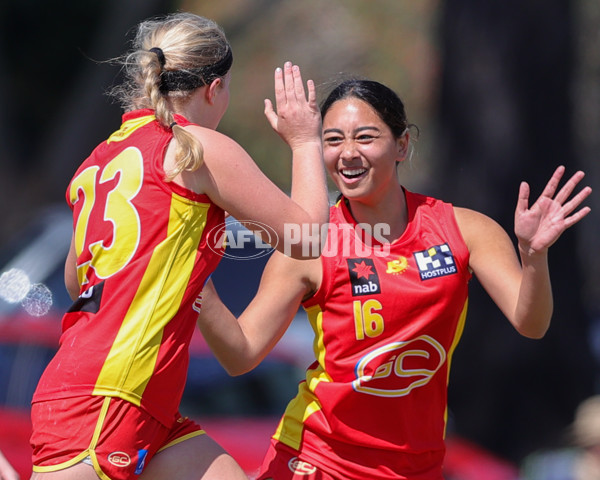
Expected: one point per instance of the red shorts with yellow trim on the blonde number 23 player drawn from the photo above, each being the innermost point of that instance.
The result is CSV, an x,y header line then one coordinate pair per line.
x,y
115,436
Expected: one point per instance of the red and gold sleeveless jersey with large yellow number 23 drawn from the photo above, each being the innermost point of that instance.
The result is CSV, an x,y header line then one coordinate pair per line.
x,y
143,256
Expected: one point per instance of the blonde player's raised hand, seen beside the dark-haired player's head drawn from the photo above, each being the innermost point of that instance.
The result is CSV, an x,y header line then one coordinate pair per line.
x,y
297,119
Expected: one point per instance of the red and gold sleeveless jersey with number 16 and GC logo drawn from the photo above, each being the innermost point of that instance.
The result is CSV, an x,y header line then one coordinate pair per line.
x,y
387,318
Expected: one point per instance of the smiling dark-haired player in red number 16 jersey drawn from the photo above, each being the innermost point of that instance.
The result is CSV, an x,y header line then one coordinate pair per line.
x,y
387,301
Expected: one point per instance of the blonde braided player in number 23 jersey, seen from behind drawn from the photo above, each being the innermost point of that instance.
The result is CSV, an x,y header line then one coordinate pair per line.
x,y
145,203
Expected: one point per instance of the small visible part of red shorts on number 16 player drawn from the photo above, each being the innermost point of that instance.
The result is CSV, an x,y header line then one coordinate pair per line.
x,y
282,463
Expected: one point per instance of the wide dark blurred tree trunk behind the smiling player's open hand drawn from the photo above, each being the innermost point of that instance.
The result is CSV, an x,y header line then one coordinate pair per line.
x,y
506,116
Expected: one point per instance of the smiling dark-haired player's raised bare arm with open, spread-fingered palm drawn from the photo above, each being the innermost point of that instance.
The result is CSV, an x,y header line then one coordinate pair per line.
x,y
522,289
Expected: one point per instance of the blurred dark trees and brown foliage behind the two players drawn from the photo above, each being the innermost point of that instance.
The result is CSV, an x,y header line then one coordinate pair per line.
x,y
502,91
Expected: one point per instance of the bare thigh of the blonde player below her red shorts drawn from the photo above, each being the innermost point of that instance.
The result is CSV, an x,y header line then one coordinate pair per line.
x,y
196,458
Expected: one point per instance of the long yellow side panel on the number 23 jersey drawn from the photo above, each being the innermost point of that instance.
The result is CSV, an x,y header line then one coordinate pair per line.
x,y
130,363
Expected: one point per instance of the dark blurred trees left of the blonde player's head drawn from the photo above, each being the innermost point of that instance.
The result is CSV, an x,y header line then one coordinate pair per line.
x,y
54,111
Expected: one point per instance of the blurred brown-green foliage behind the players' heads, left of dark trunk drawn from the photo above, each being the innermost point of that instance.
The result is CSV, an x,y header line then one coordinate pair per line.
x,y
391,41
